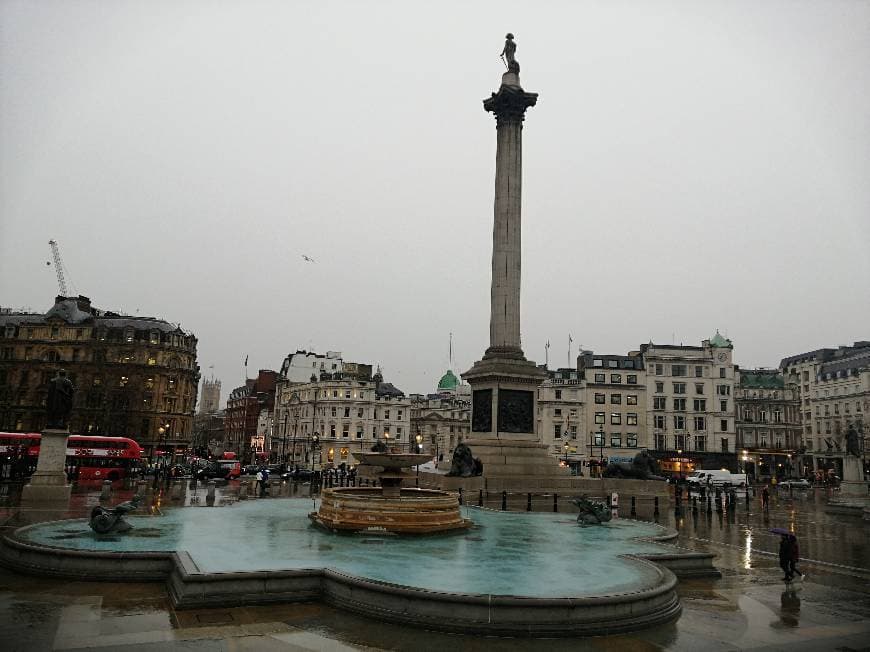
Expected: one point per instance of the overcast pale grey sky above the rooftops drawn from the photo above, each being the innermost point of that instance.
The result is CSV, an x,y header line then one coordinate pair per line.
x,y
689,166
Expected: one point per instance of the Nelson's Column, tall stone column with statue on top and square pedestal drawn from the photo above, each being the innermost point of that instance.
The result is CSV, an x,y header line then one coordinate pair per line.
x,y
504,384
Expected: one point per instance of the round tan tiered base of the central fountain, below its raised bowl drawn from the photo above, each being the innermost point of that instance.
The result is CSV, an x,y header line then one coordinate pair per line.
x,y
414,511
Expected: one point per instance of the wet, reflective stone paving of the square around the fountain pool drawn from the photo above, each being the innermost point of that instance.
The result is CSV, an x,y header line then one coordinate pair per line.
x,y
748,608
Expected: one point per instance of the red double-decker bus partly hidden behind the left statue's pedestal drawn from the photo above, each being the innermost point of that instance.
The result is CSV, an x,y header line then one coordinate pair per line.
x,y
88,458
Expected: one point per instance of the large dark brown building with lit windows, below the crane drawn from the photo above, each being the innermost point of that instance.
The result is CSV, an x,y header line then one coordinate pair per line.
x,y
133,375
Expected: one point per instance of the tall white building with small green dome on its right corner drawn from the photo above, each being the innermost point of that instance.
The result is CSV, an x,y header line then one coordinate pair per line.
x,y
690,405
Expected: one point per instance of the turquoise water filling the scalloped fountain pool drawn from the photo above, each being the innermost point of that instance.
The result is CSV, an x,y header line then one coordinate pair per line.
x,y
524,554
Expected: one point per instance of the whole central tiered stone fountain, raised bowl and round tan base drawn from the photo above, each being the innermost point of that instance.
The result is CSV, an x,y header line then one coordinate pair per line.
x,y
389,508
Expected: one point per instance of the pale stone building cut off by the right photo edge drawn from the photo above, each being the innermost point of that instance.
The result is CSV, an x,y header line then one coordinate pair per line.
x,y
834,393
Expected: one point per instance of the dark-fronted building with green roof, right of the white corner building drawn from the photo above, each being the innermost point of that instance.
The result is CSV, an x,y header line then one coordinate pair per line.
x,y
768,425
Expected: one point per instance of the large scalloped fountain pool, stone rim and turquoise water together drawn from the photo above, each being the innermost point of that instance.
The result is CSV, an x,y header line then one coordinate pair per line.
x,y
512,574
